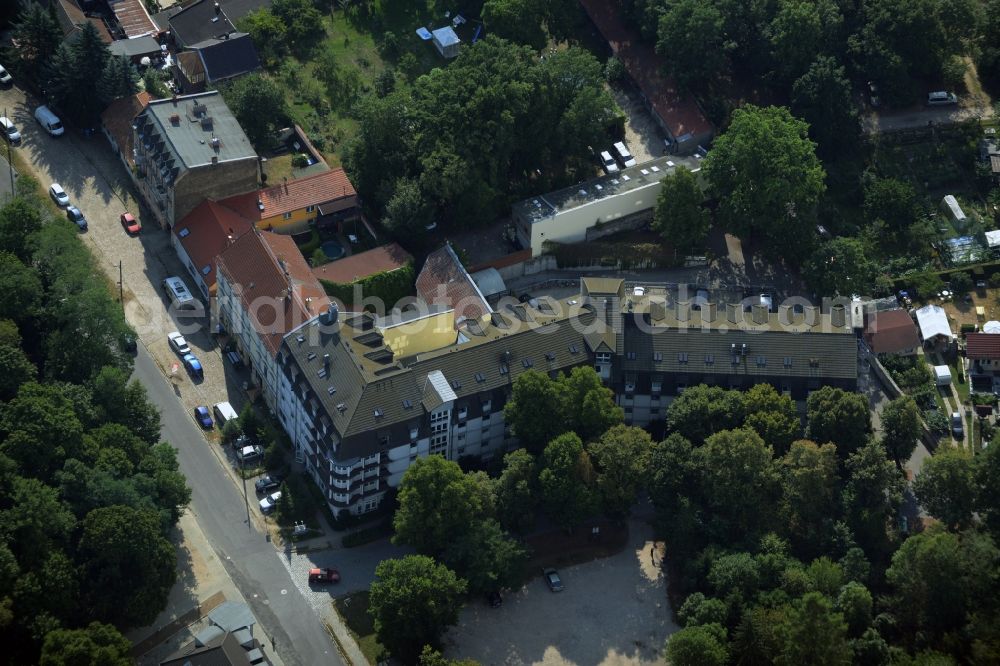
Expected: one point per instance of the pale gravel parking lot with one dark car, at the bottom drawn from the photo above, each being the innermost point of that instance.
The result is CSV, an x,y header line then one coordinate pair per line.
x,y
613,612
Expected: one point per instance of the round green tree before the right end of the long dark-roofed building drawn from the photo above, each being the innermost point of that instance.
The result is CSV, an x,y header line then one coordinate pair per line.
x,y
840,417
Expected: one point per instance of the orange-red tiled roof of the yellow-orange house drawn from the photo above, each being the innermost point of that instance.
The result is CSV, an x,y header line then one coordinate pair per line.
x,y
292,195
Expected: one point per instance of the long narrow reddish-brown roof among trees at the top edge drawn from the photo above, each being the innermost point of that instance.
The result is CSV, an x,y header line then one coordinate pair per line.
x,y
679,112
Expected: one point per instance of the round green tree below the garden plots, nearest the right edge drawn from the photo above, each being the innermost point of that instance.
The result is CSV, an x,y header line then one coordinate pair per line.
x,y
945,487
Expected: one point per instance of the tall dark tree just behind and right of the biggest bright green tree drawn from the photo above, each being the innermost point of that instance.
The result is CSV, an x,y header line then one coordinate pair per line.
x,y
823,98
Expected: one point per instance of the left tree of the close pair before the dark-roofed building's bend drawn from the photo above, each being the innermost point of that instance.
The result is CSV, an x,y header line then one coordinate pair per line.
x,y
534,399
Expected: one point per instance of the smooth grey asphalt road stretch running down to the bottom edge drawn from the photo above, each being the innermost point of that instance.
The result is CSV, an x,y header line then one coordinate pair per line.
x,y
253,564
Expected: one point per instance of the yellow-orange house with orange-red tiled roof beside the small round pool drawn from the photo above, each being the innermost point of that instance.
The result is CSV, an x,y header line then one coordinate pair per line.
x,y
327,197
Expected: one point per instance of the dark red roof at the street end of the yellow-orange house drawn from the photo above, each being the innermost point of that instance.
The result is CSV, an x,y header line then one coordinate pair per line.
x,y
205,232
